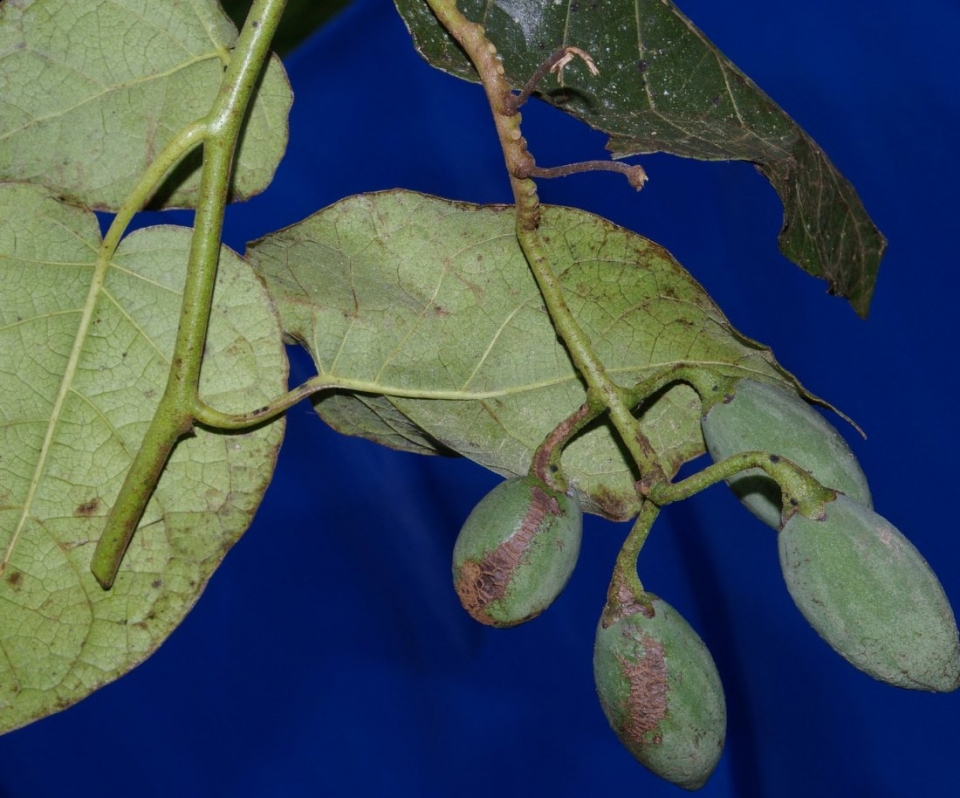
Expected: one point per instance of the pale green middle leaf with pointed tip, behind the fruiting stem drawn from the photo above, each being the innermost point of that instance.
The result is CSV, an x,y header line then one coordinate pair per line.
x,y
425,316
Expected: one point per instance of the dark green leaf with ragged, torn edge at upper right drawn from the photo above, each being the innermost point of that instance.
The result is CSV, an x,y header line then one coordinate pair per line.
x,y
664,87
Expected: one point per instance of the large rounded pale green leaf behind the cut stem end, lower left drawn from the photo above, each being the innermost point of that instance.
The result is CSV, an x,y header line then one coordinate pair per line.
x,y
74,409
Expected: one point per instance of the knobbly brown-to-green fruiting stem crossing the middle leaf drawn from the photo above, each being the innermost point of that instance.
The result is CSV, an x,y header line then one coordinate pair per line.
x,y
601,390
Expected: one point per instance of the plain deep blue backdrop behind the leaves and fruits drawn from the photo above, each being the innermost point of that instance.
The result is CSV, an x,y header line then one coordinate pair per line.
x,y
329,655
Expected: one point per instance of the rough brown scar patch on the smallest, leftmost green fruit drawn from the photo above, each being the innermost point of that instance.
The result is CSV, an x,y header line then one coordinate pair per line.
x,y
480,584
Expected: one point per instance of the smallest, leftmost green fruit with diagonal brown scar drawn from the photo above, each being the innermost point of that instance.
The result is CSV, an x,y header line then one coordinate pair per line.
x,y
516,551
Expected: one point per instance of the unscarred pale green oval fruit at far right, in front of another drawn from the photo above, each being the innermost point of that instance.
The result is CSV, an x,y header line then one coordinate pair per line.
x,y
869,593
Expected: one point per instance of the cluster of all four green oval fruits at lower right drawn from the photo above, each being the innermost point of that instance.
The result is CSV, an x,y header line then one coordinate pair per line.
x,y
857,580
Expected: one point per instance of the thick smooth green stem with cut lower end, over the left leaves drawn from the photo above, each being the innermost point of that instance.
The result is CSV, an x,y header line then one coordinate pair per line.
x,y
220,132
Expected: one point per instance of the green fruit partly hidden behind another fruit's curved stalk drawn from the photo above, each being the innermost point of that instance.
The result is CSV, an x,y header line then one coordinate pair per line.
x,y
761,417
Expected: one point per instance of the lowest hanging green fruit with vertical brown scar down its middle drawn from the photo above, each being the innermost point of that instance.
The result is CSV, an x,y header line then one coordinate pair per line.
x,y
661,693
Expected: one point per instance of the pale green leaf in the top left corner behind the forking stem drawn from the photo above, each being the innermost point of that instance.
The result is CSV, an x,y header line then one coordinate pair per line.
x,y
90,93
